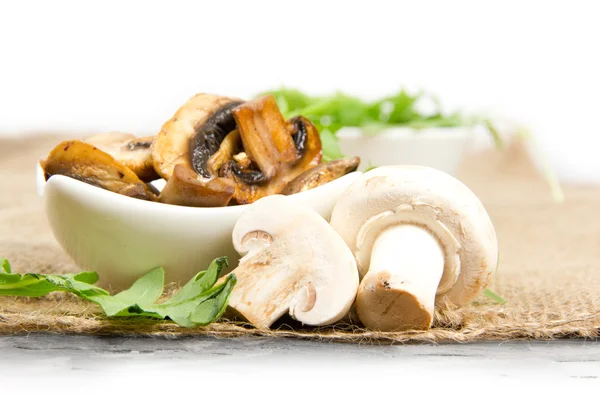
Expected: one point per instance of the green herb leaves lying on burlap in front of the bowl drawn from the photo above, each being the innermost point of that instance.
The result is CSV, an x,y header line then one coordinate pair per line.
x,y
199,302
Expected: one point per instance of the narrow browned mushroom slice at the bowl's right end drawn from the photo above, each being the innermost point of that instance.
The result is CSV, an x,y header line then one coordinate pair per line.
x,y
321,174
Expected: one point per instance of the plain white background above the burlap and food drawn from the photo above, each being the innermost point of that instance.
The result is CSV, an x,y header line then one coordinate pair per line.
x,y
74,66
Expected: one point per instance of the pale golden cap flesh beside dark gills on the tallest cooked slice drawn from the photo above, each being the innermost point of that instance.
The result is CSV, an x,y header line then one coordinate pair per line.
x,y
173,144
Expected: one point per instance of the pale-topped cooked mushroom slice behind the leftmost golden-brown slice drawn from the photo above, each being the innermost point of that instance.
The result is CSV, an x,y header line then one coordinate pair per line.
x,y
131,151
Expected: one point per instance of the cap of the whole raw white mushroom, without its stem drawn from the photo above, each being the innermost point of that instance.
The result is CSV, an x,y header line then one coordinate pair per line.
x,y
434,200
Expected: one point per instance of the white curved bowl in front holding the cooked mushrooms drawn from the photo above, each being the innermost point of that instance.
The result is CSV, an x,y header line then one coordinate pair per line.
x,y
122,238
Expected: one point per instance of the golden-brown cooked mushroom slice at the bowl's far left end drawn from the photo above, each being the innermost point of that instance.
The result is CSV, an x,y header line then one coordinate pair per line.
x,y
84,162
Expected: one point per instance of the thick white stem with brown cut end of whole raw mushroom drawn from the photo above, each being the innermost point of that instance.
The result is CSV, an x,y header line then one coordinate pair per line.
x,y
398,292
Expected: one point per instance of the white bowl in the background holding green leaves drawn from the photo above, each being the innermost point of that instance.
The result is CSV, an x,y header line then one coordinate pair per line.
x,y
440,148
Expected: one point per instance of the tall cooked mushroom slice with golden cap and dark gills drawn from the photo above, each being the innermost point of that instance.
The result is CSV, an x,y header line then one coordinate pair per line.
x,y
200,124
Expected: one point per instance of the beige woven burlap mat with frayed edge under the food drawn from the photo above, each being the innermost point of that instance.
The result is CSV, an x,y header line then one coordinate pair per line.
x,y
549,262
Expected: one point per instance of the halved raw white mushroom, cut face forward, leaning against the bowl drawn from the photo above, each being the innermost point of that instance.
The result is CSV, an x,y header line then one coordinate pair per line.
x,y
292,260
